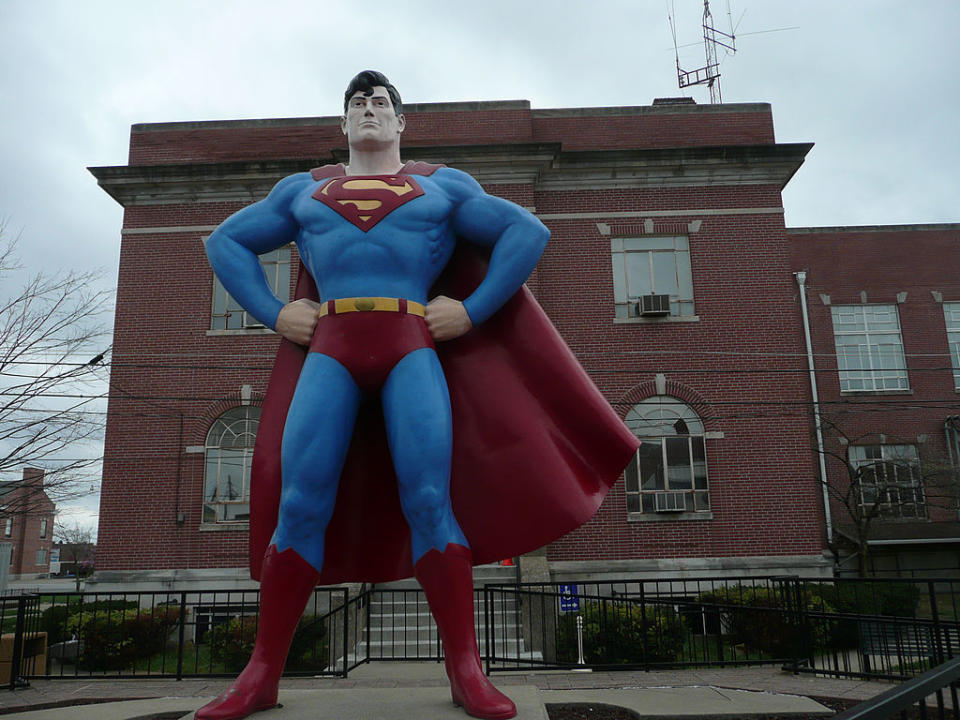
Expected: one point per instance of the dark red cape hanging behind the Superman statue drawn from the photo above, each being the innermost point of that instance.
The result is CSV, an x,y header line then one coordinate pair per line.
x,y
536,446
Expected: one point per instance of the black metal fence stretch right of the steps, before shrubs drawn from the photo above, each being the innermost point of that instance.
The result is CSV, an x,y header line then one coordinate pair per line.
x,y
889,629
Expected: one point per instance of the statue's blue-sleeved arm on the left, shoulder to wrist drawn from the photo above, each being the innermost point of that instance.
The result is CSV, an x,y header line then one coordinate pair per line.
x,y
234,246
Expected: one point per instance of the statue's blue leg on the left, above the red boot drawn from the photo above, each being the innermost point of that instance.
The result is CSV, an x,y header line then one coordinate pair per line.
x,y
315,442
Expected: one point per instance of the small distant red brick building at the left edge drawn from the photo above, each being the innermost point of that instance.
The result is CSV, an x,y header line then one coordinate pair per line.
x,y
26,522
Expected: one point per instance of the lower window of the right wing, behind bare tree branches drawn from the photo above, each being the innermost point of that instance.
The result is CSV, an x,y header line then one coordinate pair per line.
x,y
889,479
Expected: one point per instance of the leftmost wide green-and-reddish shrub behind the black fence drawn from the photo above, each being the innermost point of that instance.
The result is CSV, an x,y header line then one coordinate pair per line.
x,y
114,640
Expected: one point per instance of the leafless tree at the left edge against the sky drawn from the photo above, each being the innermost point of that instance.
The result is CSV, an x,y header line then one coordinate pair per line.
x,y
52,341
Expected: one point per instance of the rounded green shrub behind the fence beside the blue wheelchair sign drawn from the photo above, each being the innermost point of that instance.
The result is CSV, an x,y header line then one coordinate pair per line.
x,y
621,632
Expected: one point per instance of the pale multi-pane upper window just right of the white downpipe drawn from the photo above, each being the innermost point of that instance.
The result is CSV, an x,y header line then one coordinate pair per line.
x,y
869,348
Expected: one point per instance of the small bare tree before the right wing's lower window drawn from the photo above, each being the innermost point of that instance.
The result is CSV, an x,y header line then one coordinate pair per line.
x,y
871,489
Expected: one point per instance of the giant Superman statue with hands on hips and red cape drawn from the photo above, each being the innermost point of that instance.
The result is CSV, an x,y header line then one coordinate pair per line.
x,y
368,465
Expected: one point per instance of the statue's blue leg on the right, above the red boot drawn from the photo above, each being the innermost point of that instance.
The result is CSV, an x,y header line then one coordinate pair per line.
x,y
416,409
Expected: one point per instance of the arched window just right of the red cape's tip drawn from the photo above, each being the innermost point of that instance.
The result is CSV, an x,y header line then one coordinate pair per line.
x,y
669,471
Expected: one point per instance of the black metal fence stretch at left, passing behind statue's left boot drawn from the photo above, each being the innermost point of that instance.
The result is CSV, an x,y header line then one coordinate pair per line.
x,y
162,634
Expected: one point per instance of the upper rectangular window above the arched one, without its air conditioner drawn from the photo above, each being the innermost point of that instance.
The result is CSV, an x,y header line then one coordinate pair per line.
x,y
651,266
